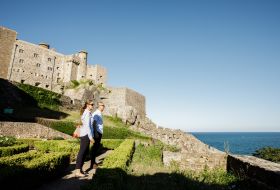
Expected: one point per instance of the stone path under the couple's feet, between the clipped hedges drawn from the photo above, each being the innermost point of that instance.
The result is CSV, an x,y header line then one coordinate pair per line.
x,y
69,181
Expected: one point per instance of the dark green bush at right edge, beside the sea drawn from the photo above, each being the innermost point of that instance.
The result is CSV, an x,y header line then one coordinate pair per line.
x,y
268,153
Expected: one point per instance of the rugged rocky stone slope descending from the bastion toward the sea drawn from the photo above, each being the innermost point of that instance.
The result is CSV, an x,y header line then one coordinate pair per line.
x,y
194,154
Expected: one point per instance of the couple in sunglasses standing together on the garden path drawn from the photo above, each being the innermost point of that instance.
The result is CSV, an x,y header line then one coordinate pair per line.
x,y
90,132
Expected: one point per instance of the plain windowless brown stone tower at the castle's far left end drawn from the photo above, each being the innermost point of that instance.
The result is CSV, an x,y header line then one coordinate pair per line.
x,y
7,45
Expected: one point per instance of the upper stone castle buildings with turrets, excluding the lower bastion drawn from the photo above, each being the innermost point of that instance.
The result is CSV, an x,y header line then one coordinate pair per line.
x,y
38,65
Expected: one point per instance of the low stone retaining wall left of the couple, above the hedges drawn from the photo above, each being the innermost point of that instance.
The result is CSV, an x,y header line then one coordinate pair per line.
x,y
29,130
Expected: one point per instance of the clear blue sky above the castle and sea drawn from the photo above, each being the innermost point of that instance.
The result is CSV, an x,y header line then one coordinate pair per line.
x,y
203,65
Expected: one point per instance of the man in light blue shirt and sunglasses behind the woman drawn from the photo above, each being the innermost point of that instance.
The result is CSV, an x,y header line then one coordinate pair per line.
x,y
97,121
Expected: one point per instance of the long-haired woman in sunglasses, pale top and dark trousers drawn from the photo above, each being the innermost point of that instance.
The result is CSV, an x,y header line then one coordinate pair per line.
x,y
86,137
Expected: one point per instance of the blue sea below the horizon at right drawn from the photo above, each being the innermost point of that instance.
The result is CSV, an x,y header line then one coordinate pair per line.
x,y
240,142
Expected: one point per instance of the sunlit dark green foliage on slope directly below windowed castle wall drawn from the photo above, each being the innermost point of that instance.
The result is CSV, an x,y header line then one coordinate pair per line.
x,y
44,98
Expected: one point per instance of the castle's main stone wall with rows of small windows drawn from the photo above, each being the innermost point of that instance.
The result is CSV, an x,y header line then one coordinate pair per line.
x,y
36,65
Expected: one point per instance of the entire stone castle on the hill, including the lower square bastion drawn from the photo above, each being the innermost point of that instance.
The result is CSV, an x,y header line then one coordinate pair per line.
x,y
38,65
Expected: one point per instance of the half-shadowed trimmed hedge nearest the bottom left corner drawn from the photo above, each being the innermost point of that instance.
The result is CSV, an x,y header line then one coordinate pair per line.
x,y
31,169
